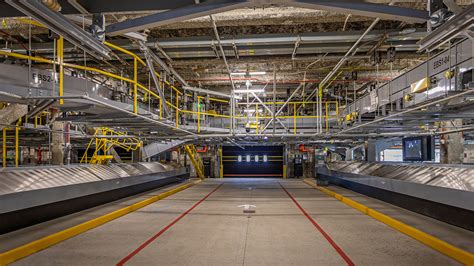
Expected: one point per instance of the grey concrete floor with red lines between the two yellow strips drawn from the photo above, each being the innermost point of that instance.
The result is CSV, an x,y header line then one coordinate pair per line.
x,y
217,232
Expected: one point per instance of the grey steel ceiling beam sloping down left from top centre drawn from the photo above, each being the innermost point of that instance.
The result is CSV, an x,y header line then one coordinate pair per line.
x,y
173,16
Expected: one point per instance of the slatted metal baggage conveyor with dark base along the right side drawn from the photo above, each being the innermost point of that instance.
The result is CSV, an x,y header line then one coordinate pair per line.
x,y
443,192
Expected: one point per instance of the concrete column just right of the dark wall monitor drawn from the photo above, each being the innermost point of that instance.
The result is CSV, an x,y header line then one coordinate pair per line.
x,y
452,145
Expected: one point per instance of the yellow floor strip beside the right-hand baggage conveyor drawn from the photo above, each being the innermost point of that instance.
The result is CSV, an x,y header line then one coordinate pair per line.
x,y
437,244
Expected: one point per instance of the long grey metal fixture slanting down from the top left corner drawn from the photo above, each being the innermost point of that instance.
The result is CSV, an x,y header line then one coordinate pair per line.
x,y
62,26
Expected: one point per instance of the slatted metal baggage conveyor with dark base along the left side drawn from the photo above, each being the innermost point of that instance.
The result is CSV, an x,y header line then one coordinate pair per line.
x,y
32,195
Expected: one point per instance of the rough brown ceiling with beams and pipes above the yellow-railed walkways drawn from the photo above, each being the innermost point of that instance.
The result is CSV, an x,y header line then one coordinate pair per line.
x,y
288,43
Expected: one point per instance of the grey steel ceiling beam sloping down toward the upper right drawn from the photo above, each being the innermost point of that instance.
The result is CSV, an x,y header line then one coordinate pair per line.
x,y
363,8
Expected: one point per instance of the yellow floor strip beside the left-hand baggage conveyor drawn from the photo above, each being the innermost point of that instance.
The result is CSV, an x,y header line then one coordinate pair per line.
x,y
48,241
